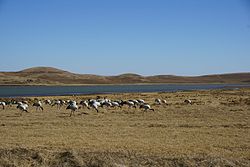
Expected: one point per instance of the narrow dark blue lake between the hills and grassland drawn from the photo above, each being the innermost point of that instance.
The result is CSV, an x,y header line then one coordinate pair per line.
x,y
19,91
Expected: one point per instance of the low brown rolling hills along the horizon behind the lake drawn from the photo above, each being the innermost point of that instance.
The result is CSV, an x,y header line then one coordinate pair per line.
x,y
53,76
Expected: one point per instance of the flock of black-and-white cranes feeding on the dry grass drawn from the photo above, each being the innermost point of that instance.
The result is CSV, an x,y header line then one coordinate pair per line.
x,y
90,103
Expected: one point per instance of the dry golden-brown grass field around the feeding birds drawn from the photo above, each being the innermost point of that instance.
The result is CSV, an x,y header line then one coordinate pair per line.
x,y
214,131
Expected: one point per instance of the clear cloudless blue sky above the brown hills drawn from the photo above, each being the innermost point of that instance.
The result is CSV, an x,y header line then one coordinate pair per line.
x,y
110,37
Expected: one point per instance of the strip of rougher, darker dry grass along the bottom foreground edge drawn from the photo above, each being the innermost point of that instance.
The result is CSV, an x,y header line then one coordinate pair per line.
x,y
28,157
